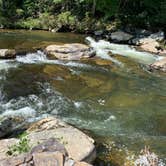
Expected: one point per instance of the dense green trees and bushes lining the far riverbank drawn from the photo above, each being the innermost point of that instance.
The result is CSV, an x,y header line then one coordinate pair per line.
x,y
82,16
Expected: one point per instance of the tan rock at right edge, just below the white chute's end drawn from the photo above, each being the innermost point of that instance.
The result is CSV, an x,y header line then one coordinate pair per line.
x,y
159,65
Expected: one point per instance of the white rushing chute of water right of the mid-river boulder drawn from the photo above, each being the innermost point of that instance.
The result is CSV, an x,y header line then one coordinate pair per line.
x,y
103,48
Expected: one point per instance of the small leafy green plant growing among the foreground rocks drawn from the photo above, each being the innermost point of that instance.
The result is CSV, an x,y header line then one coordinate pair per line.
x,y
21,147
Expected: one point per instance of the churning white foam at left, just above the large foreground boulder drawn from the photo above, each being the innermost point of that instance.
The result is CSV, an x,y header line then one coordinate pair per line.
x,y
32,106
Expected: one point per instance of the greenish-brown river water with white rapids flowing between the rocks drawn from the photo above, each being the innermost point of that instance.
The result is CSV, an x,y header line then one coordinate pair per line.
x,y
120,103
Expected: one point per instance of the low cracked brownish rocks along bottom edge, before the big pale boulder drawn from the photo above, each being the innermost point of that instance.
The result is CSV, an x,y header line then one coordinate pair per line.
x,y
49,153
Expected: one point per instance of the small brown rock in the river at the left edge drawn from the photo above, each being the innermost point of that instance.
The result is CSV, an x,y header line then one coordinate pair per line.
x,y
7,53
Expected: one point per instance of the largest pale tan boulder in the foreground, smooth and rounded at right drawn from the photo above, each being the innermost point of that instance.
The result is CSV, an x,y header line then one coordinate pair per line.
x,y
72,138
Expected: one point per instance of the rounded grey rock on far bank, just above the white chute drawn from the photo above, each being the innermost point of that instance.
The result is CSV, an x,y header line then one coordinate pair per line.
x,y
120,37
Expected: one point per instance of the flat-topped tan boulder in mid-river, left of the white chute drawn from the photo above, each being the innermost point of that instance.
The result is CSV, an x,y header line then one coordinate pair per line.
x,y
73,51
